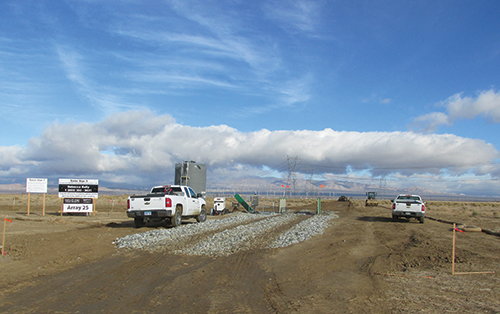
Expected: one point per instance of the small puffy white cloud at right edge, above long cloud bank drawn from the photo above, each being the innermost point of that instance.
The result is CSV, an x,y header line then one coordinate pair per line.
x,y
486,104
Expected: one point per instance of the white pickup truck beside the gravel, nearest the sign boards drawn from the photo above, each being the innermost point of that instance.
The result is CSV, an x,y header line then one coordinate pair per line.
x,y
168,202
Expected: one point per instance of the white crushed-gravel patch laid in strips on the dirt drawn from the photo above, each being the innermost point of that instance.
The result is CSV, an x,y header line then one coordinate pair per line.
x,y
237,232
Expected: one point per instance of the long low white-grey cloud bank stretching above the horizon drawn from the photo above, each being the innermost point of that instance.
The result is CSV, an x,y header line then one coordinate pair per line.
x,y
141,148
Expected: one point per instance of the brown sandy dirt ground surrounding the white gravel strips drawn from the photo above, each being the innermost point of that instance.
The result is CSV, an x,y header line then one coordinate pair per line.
x,y
363,263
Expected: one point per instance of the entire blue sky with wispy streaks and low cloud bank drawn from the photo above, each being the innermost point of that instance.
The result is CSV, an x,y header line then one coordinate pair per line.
x,y
353,95
